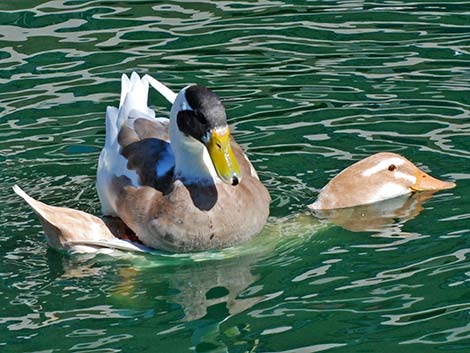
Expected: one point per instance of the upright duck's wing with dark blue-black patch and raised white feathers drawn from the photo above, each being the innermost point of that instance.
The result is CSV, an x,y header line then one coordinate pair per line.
x,y
137,145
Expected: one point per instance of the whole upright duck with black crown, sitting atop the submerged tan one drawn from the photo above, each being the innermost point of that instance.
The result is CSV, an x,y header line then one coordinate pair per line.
x,y
183,183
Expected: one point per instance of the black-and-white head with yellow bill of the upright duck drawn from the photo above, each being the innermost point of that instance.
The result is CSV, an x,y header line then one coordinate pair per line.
x,y
200,138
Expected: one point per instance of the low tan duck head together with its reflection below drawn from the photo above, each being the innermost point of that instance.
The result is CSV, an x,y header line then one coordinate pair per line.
x,y
376,193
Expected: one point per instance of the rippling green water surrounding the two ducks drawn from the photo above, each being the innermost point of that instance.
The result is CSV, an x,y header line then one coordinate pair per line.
x,y
309,87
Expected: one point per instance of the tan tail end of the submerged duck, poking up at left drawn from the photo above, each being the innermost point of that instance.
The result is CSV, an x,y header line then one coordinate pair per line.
x,y
76,231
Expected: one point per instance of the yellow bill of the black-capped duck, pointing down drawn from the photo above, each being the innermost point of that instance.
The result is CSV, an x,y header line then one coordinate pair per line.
x,y
222,156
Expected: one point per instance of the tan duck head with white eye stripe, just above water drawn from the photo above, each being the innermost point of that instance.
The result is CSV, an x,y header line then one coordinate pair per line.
x,y
382,176
